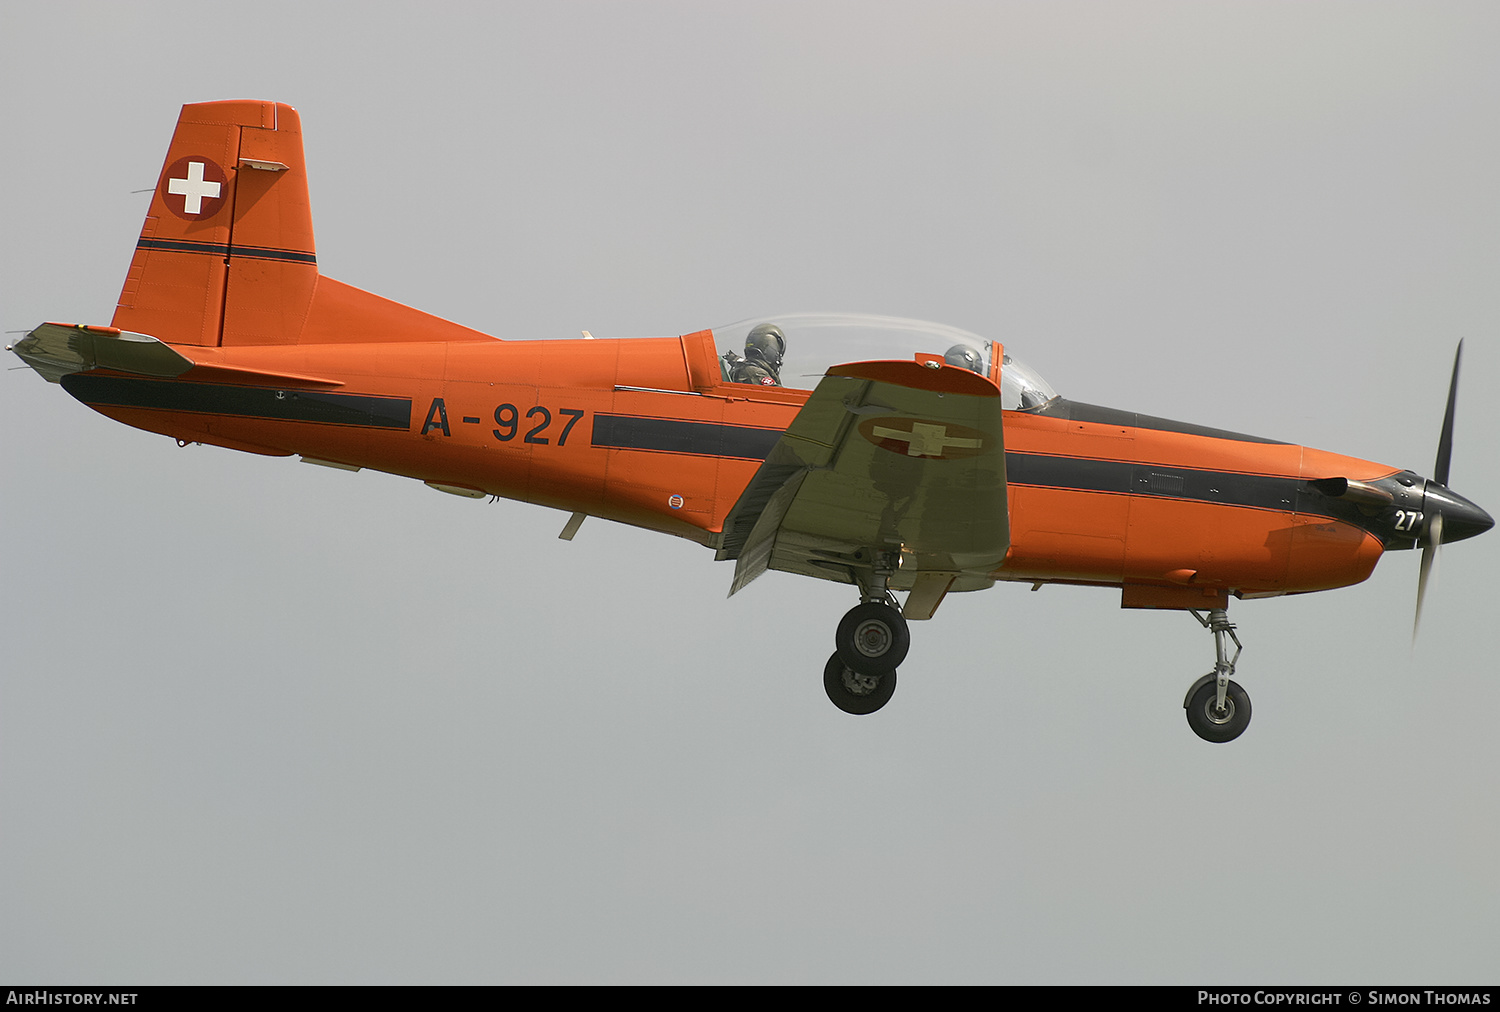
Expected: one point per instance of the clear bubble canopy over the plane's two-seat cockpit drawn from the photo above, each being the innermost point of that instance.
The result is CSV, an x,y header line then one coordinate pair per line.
x,y
818,341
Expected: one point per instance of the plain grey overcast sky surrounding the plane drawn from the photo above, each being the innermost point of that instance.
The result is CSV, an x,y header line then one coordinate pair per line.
x,y
274,723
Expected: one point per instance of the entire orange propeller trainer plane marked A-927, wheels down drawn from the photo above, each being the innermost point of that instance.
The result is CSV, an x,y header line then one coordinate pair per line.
x,y
889,455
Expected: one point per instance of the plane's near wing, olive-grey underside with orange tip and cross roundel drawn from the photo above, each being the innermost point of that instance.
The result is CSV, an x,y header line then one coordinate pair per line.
x,y
896,458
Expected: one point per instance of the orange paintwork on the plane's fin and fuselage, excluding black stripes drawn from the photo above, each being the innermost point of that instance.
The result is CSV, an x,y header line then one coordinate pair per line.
x,y
236,290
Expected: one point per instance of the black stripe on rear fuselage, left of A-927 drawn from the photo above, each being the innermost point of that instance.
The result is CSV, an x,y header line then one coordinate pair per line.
x,y
247,403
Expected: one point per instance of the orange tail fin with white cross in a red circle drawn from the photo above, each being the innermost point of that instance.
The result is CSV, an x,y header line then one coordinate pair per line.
x,y
227,256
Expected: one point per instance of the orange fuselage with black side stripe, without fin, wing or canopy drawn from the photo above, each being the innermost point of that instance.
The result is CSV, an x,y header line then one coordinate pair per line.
x,y
646,433
